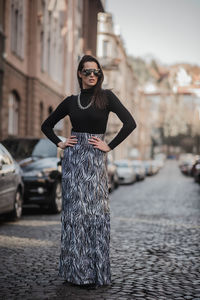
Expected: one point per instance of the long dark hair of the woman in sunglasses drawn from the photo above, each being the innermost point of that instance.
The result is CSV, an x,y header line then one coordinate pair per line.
x,y
99,99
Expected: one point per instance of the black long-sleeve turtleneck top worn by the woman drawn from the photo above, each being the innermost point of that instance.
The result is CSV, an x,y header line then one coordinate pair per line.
x,y
92,119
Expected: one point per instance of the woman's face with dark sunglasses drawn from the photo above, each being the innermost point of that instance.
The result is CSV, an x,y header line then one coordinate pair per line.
x,y
90,80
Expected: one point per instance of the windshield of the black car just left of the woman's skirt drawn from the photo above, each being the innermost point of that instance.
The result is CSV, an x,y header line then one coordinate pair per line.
x,y
45,148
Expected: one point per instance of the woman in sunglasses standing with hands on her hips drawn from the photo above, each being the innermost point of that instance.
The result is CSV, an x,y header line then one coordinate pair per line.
x,y
85,232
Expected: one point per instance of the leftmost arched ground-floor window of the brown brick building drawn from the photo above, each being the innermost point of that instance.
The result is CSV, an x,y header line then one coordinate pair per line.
x,y
13,114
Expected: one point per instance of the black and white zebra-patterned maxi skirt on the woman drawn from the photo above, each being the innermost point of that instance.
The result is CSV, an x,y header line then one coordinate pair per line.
x,y
85,217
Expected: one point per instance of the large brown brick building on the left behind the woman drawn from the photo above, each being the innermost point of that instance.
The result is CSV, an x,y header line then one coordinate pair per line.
x,y
44,39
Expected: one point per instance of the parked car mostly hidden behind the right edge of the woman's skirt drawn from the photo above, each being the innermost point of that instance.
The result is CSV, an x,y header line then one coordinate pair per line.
x,y
113,179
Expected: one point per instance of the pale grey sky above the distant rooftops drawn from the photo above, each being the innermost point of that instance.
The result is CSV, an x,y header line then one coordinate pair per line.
x,y
168,30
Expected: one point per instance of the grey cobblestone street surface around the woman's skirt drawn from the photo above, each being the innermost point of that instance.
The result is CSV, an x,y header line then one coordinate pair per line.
x,y
154,246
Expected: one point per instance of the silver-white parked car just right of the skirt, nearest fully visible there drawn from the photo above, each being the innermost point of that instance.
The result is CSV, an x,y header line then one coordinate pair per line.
x,y
125,172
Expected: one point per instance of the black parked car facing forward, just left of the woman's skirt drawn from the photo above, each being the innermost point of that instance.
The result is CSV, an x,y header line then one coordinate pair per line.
x,y
41,171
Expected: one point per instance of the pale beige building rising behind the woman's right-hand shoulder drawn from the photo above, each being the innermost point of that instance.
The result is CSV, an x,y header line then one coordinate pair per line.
x,y
119,77
